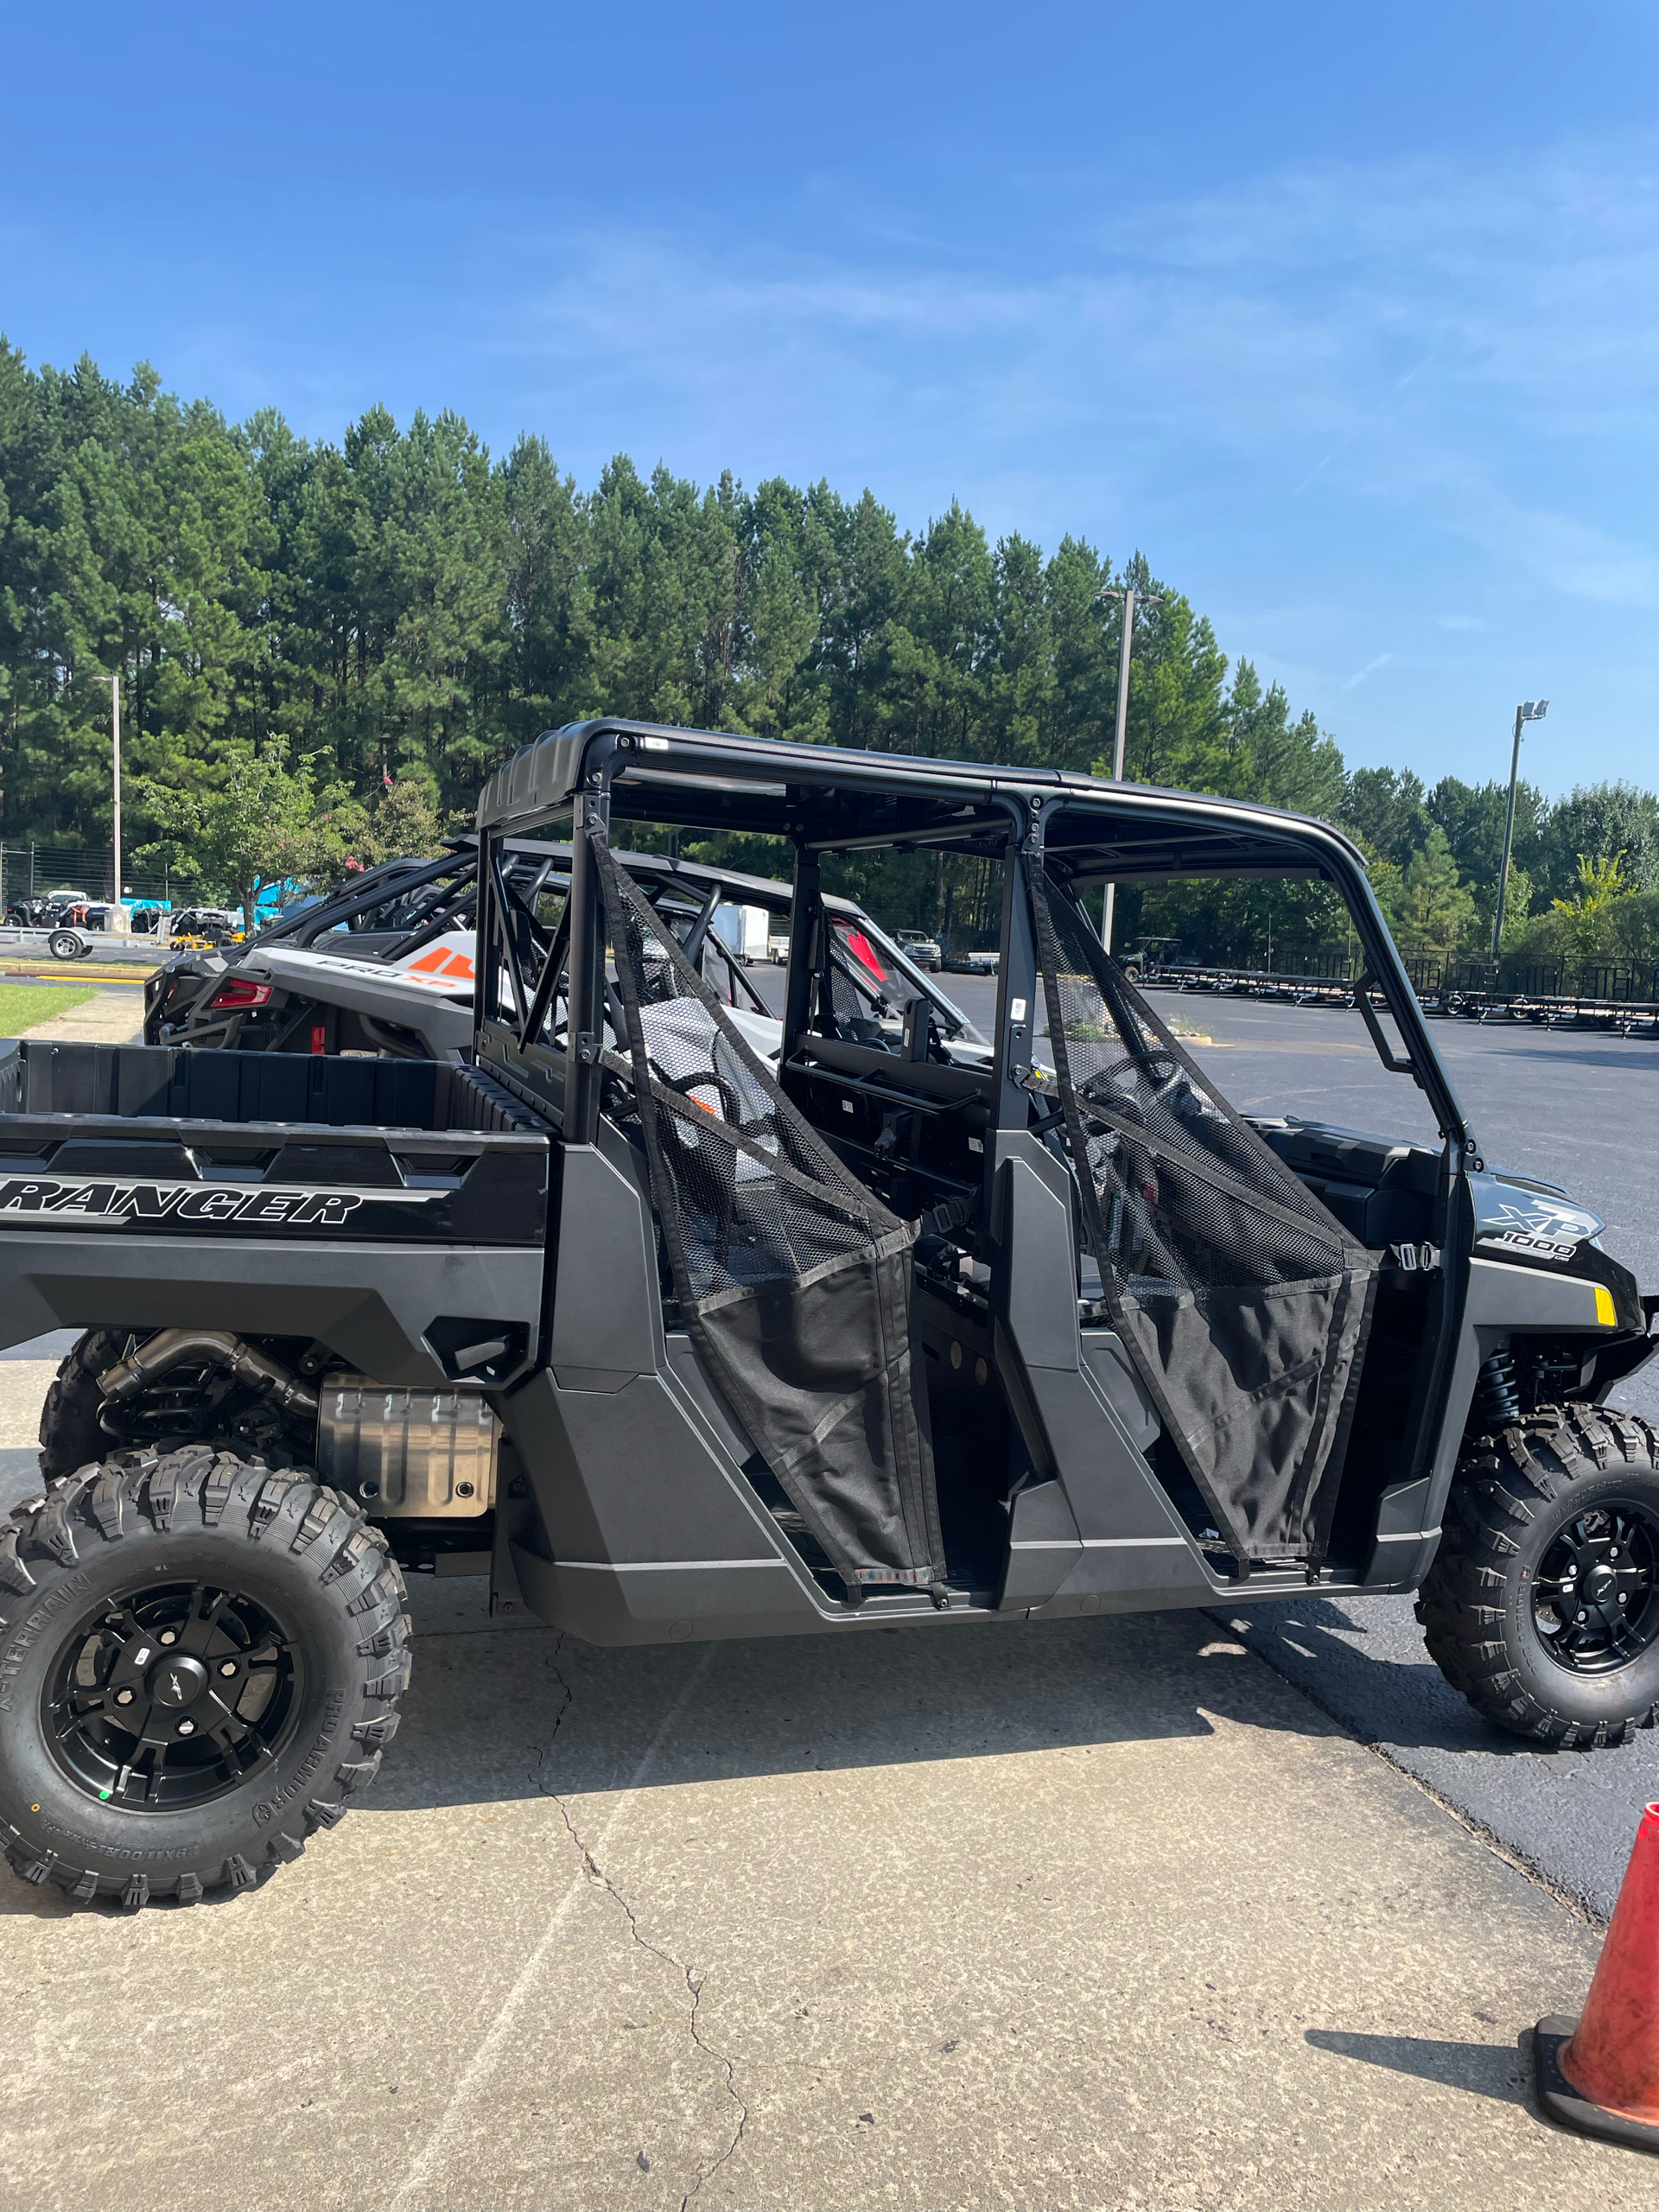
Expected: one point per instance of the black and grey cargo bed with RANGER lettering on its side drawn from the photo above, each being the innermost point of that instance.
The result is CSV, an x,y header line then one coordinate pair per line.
x,y
393,1204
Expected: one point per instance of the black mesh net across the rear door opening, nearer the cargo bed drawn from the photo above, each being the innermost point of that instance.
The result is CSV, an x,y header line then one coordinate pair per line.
x,y
793,1280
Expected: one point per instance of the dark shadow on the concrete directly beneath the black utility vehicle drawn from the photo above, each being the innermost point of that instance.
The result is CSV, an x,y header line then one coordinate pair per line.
x,y
521,1713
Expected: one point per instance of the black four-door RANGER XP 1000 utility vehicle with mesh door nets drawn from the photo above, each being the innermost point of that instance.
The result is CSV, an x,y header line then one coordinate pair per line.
x,y
676,1339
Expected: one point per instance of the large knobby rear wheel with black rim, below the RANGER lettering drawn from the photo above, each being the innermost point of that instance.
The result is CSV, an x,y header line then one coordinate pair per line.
x,y
200,1665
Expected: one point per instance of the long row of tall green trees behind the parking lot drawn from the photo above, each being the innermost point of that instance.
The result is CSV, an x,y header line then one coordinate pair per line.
x,y
401,609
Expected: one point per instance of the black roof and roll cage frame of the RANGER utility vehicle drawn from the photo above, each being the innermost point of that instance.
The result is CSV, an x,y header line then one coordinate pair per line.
x,y
828,800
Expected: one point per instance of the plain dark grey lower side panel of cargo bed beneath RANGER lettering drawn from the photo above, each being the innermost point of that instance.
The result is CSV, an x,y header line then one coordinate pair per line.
x,y
373,1304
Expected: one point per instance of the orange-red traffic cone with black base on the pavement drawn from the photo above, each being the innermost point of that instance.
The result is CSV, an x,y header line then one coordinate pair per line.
x,y
1600,2074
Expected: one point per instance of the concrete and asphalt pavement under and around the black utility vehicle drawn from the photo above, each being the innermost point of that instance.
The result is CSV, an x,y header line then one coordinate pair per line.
x,y
1134,1914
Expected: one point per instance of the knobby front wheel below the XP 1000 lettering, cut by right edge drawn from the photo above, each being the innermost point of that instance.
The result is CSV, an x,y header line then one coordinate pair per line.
x,y
1543,1603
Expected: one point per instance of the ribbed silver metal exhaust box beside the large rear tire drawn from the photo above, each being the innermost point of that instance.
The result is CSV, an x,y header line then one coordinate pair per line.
x,y
408,1452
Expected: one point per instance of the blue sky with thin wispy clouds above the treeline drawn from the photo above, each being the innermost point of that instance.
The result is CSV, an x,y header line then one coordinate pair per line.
x,y
1346,317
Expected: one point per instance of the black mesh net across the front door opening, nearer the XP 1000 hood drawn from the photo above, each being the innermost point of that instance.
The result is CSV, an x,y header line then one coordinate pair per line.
x,y
1238,1295
